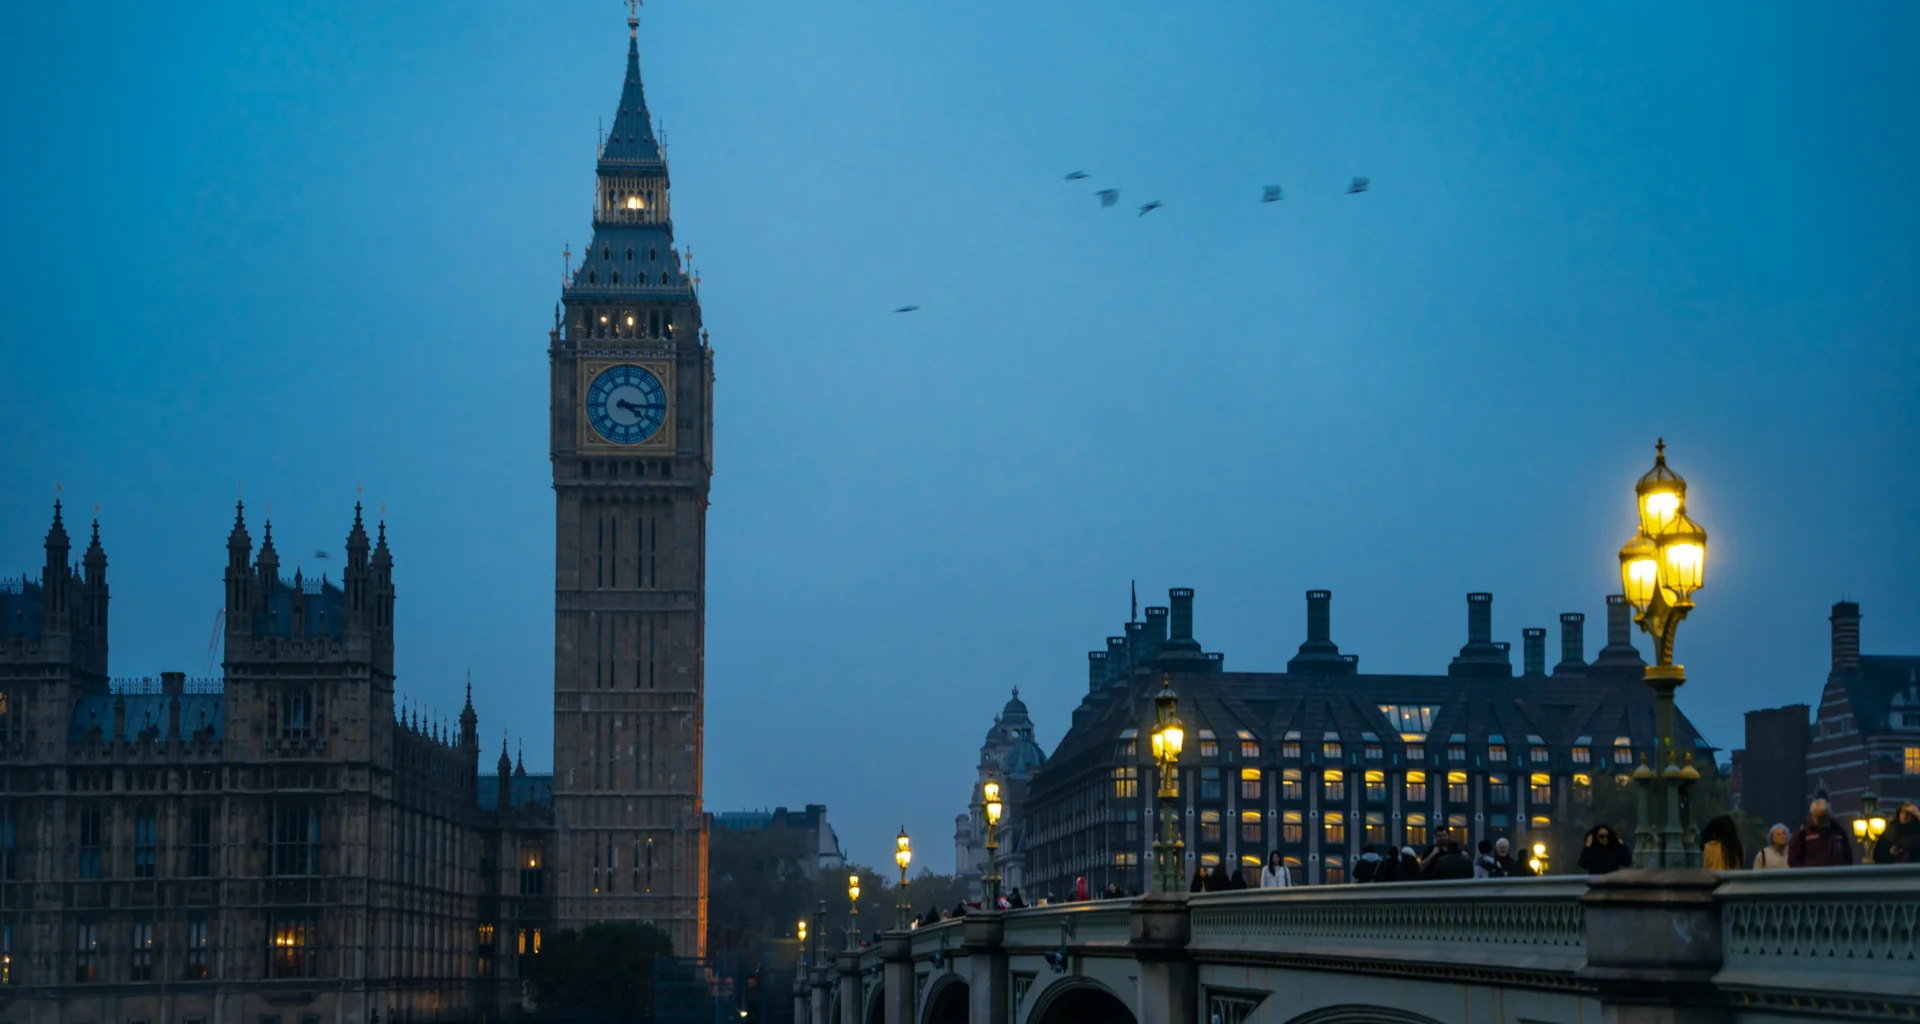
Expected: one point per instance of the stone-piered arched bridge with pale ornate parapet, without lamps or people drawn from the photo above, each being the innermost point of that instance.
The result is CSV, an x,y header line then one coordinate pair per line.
x,y
1641,946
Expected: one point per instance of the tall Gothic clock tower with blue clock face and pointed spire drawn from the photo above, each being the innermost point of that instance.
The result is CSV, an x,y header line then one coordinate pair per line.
x,y
633,458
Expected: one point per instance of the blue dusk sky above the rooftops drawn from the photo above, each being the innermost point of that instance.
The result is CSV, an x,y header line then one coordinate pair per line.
x,y
304,247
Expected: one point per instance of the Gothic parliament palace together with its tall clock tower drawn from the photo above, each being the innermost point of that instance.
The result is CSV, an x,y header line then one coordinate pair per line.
x,y
287,846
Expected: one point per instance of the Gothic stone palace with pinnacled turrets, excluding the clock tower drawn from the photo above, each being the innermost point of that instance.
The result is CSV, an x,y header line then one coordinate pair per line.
x,y
277,844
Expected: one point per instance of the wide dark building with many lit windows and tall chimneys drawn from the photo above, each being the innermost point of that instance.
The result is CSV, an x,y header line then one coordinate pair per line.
x,y
1322,760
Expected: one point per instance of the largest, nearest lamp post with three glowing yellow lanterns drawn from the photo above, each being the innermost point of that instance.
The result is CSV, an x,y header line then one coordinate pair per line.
x,y
1660,572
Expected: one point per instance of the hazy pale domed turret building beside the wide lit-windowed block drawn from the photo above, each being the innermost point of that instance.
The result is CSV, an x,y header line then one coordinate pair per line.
x,y
1011,756
